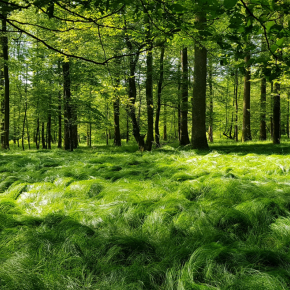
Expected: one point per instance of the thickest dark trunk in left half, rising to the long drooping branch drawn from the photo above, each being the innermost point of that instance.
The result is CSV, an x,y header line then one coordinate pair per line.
x,y
68,131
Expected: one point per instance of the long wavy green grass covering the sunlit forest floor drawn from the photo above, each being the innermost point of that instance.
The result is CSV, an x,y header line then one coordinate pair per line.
x,y
113,218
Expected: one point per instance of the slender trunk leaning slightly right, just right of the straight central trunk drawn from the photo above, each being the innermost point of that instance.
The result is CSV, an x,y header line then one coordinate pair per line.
x,y
159,91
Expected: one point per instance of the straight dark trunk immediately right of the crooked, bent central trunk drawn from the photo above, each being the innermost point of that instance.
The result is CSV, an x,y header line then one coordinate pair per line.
x,y
149,95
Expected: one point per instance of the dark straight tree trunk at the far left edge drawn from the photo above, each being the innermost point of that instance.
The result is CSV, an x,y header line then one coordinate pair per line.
x,y
6,83
